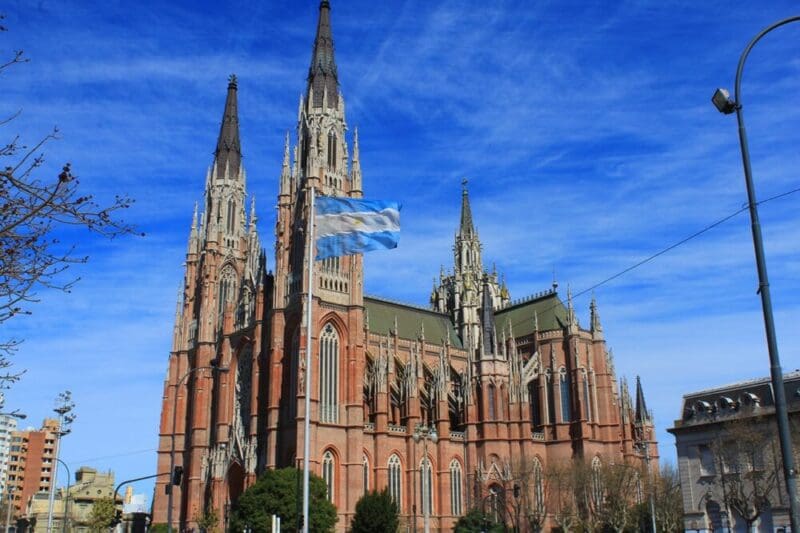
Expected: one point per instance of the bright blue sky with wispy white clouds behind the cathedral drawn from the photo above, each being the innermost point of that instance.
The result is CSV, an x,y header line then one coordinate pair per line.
x,y
585,129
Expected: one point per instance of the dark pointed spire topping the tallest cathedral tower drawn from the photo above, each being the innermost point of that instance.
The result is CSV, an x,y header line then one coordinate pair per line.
x,y
322,76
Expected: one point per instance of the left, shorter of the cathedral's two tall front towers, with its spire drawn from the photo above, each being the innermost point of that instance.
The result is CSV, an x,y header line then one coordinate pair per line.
x,y
210,405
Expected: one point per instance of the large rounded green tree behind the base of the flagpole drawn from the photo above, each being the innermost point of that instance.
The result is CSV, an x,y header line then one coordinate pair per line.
x,y
279,492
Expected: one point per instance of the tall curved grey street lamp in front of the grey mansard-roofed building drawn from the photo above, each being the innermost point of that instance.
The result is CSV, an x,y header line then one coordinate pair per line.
x,y
724,104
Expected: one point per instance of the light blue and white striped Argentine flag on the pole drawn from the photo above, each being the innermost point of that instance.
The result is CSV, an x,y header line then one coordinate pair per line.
x,y
347,226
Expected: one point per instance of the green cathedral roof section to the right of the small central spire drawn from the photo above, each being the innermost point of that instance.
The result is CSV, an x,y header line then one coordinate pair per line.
x,y
545,307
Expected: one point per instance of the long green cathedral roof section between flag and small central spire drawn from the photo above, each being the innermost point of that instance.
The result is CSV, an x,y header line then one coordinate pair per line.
x,y
410,320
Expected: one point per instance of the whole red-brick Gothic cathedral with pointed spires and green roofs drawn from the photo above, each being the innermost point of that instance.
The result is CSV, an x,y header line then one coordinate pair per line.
x,y
503,383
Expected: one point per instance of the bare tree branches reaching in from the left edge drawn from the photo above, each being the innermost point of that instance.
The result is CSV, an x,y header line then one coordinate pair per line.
x,y
33,210
